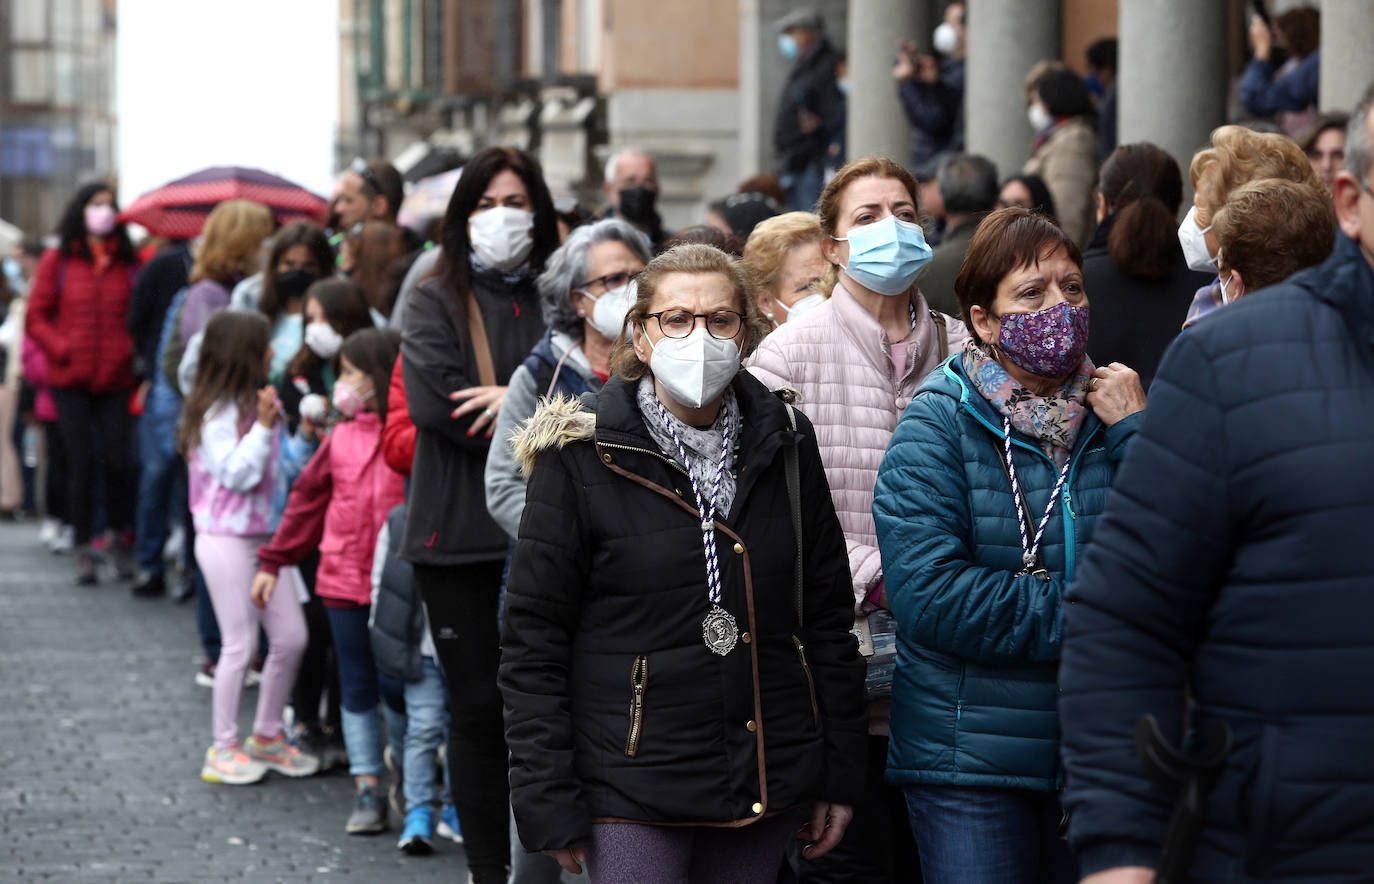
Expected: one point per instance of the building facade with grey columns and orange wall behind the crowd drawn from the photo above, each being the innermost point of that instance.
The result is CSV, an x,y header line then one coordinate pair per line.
x,y
697,83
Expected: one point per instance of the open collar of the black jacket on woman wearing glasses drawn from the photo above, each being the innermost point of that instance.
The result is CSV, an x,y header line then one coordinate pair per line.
x,y
622,427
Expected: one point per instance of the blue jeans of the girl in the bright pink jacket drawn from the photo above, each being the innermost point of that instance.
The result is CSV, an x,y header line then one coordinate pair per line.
x,y
359,692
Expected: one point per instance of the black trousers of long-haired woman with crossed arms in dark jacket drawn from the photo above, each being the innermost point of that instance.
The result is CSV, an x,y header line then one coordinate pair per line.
x,y
461,603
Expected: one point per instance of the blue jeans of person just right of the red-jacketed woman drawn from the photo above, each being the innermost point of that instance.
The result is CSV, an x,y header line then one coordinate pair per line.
x,y
160,468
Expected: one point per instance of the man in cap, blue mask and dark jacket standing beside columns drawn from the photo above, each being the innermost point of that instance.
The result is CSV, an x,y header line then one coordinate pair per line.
x,y
809,107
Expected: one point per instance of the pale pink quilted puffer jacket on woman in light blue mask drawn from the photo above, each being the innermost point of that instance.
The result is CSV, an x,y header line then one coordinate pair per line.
x,y
837,358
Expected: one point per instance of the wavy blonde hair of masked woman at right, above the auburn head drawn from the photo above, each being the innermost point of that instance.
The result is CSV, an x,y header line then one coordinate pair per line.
x,y
1239,156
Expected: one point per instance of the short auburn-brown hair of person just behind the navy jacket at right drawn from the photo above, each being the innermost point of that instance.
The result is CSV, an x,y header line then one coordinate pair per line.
x,y
1272,229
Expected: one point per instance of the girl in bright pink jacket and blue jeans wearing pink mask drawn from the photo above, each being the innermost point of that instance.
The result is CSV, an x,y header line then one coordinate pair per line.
x,y
337,507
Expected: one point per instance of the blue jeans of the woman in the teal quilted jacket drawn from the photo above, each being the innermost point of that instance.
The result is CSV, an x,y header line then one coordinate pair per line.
x,y
979,835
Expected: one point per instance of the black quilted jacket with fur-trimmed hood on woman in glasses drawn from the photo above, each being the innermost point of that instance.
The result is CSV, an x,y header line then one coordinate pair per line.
x,y
615,709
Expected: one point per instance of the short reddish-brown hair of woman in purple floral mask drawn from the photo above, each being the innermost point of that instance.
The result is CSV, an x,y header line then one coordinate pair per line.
x,y
1006,241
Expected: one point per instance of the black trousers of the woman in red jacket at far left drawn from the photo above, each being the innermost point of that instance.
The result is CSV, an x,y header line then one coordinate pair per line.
x,y
97,435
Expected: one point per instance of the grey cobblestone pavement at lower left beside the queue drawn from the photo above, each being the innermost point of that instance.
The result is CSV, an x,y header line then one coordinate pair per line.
x,y
101,746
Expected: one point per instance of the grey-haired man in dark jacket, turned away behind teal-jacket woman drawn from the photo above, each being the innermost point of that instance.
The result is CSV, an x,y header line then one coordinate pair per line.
x,y
969,190
